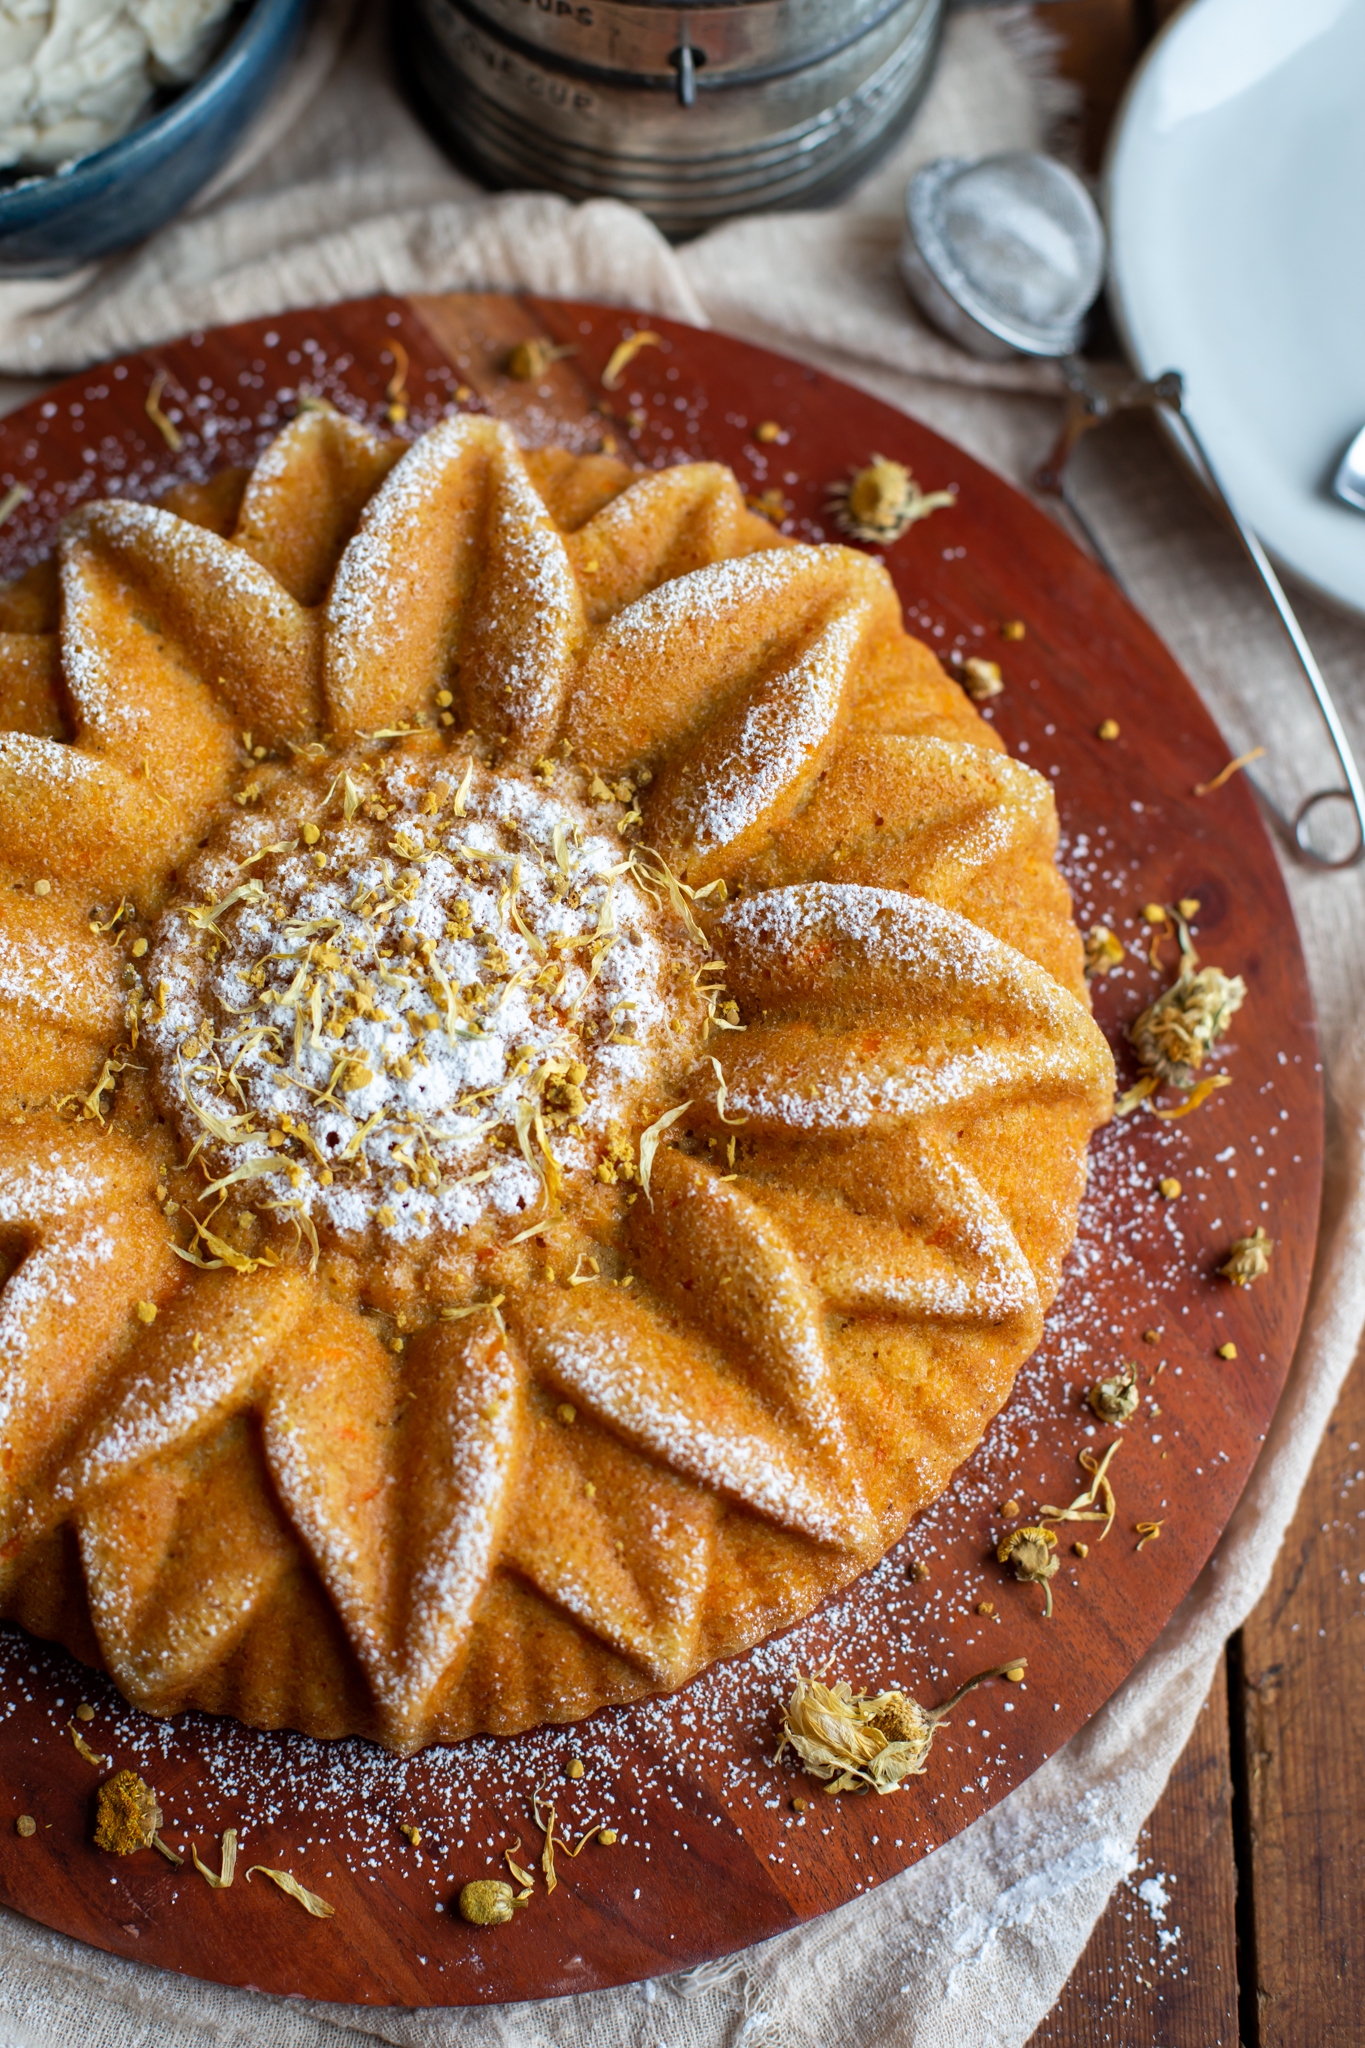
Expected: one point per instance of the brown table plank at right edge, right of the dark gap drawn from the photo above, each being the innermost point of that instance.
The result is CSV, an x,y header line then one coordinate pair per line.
x,y
1305,1730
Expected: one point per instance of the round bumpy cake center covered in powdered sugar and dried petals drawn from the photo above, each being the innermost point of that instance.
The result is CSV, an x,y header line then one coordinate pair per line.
x,y
412,996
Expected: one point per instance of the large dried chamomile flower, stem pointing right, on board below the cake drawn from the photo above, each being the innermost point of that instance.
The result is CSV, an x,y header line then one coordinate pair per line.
x,y
865,1740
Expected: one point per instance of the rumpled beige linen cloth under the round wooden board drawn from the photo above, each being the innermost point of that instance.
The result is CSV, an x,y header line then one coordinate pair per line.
x,y
341,194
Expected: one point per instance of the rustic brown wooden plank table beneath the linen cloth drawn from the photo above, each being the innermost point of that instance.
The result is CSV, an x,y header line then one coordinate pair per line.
x,y
1245,1922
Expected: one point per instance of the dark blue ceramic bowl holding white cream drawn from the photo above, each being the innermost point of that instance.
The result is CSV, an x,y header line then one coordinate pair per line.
x,y
118,196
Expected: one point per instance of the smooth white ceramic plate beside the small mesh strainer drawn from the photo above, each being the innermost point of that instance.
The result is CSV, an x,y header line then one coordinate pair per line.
x,y
1235,196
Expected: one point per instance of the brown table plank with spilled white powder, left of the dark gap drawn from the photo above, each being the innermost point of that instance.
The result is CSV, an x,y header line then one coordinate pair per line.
x,y
1168,1973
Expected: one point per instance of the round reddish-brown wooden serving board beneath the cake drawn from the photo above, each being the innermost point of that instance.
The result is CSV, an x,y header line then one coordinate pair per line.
x,y
713,1852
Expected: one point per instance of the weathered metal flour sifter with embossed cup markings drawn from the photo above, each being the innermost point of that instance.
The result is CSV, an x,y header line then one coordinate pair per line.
x,y
691,114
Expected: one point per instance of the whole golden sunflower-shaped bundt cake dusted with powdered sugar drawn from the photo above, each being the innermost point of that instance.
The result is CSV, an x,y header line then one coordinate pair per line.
x,y
543,1091
